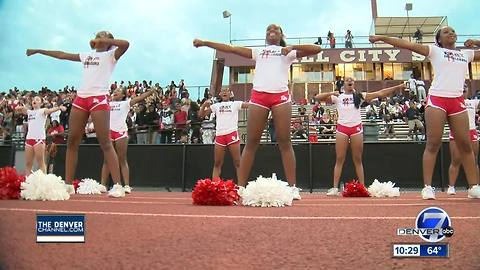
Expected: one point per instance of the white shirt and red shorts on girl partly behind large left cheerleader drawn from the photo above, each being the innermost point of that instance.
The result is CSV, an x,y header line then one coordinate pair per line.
x,y
118,116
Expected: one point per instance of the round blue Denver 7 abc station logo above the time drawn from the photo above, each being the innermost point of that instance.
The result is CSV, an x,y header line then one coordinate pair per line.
x,y
432,225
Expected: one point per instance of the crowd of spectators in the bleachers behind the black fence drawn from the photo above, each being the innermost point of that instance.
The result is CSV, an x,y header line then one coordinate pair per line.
x,y
171,116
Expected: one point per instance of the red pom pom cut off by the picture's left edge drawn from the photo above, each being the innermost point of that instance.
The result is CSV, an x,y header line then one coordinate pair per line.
x,y
10,183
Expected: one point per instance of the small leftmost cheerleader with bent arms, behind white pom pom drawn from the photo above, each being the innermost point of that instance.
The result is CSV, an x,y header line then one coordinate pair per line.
x,y
35,140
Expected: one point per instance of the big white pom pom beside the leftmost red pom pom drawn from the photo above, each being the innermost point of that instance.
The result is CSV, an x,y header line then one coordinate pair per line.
x,y
40,186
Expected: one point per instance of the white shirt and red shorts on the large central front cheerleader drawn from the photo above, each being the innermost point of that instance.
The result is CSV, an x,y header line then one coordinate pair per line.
x,y
270,83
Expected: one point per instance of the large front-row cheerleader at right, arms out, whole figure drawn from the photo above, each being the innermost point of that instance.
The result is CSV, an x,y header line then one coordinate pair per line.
x,y
445,102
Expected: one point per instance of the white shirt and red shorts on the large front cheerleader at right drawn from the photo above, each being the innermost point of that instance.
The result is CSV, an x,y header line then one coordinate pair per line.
x,y
449,67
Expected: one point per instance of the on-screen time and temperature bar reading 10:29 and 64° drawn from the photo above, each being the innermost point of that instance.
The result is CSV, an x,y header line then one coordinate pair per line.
x,y
421,250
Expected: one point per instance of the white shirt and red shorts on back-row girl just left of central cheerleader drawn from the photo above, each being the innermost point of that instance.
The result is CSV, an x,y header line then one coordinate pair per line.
x,y
227,122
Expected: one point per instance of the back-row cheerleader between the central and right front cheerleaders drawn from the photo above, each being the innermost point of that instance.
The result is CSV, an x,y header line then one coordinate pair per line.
x,y
349,126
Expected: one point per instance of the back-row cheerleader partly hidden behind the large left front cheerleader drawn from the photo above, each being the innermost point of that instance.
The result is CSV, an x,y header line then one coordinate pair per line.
x,y
119,108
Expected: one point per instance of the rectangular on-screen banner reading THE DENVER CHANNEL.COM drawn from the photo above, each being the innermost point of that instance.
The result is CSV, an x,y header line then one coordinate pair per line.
x,y
60,228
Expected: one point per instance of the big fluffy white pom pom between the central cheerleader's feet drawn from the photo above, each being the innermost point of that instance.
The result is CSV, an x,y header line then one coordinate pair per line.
x,y
267,192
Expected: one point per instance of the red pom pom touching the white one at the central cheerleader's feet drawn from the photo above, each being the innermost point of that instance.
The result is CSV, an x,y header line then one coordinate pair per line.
x,y
215,192
